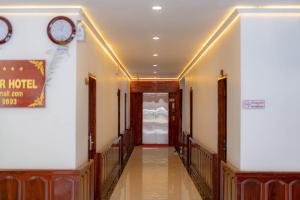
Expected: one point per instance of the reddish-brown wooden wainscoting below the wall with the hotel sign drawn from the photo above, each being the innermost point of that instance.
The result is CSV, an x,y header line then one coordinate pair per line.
x,y
47,184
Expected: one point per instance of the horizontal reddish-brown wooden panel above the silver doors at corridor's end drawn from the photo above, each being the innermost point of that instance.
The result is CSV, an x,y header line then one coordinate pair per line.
x,y
154,86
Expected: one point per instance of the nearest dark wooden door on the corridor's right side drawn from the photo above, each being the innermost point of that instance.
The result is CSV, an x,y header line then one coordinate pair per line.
x,y
222,119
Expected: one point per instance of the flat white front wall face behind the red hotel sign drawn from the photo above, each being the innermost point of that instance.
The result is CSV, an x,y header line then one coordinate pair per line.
x,y
43,137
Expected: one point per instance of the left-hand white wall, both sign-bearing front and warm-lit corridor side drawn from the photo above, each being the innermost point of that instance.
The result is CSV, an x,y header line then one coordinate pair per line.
x,y
56,137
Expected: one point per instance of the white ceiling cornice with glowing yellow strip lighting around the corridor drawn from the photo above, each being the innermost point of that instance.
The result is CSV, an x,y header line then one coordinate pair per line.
x,y
231,17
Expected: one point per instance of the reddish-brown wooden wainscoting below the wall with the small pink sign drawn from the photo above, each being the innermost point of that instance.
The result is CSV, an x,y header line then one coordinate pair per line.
x,y
239,185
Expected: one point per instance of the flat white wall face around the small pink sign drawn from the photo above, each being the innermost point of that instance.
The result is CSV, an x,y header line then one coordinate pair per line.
x,y
270,71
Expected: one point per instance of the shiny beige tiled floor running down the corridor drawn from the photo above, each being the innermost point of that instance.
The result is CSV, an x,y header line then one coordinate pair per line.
x,y
155,174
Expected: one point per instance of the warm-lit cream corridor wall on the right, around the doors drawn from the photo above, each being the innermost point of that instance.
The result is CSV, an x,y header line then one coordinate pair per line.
x,y
203,78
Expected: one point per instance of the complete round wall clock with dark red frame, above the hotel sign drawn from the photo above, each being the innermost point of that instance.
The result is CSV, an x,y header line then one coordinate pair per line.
x,y
61,30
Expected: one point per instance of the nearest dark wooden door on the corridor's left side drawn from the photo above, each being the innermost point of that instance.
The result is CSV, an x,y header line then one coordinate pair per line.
x,y
92,117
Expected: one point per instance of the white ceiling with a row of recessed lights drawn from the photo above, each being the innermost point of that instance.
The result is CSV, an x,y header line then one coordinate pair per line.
x,y
182,25
